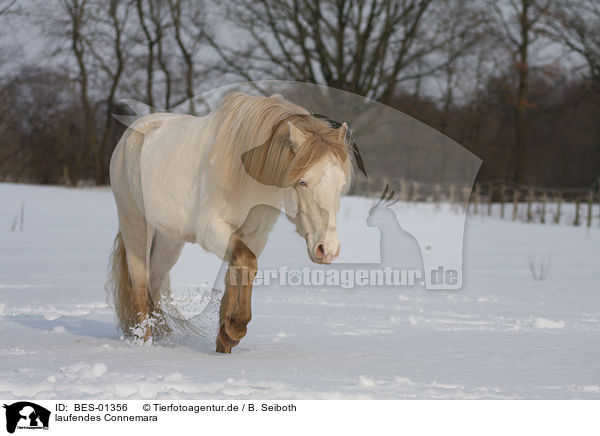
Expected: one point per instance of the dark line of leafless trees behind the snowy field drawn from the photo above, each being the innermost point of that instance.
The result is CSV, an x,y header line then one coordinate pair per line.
x,y
517,82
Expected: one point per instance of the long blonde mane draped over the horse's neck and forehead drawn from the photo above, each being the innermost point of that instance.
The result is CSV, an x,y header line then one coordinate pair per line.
x,y
252,139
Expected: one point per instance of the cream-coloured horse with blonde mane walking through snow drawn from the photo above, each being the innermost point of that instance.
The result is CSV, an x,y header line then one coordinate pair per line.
x,y
220,181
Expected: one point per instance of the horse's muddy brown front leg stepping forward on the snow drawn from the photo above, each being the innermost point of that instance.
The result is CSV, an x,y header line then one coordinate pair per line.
x,y
236,311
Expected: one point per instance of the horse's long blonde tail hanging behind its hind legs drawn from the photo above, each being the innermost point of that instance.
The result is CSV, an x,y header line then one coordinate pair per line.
x,y
119,286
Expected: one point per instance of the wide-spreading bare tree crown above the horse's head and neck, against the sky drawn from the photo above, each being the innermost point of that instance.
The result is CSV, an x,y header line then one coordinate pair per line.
x,y
366,47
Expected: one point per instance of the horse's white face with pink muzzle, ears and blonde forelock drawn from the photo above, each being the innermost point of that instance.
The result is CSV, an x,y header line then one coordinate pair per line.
x,y
320,173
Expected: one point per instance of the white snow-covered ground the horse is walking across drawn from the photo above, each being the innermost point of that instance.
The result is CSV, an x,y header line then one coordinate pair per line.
x,y
503,335
